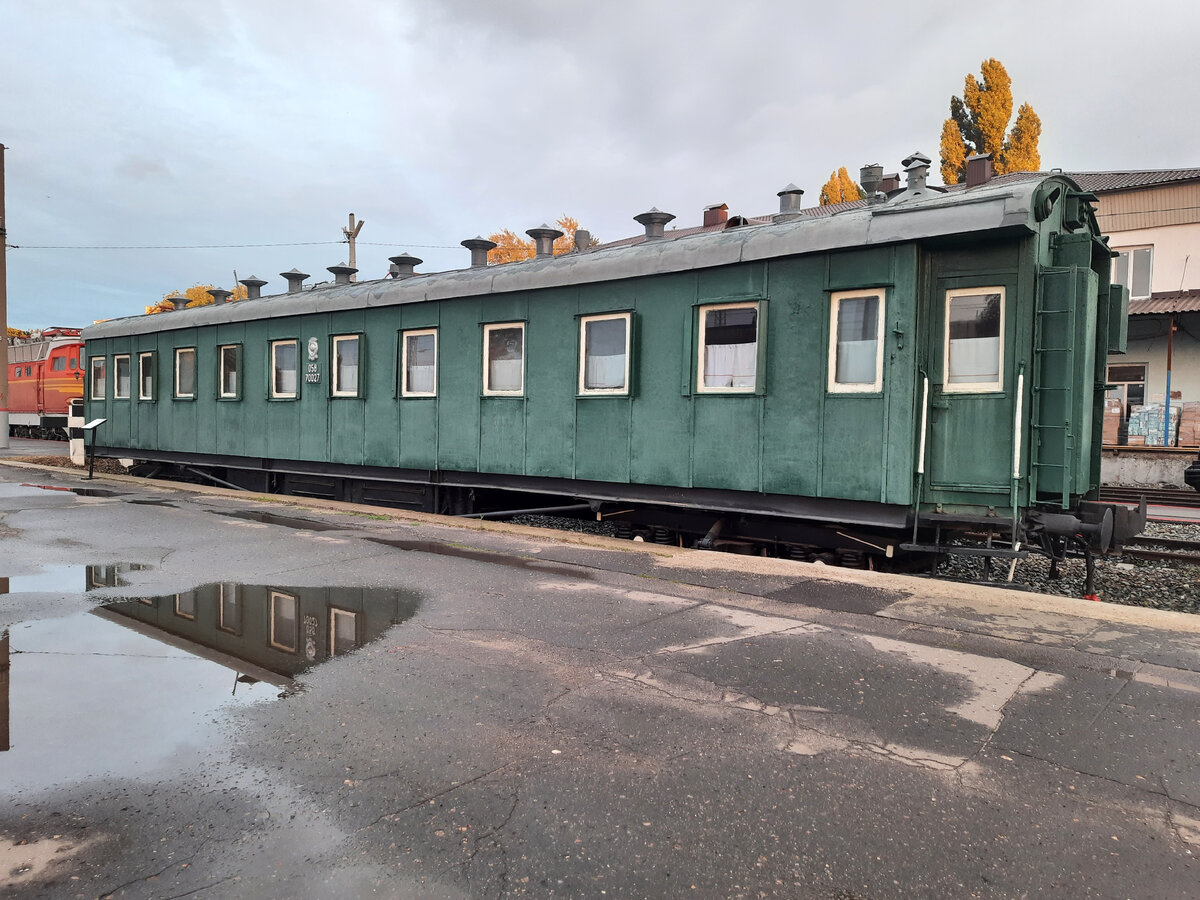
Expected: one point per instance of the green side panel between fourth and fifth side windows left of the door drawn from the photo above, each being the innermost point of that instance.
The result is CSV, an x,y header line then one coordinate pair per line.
x,y
460,385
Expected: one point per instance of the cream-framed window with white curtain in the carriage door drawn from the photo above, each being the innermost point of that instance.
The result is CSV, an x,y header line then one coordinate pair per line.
x,y
975,346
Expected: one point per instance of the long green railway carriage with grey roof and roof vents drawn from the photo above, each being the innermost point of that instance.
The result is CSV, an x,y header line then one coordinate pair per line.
x,y
934,358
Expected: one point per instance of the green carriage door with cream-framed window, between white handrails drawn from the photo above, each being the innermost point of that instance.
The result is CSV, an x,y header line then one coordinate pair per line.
x,y
970,437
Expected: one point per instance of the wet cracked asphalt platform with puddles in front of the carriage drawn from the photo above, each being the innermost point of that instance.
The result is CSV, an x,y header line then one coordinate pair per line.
x,y
226,695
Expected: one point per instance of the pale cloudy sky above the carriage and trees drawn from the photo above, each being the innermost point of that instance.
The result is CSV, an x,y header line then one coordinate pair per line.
x,y
199,123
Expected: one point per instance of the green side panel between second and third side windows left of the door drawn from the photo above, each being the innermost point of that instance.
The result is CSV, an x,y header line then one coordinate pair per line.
x,y
663,355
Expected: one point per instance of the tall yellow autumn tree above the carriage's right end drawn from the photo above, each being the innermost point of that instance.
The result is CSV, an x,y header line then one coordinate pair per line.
x,y
979,124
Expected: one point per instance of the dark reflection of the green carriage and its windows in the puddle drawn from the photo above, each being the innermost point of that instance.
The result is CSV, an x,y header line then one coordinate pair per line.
x,y
265,633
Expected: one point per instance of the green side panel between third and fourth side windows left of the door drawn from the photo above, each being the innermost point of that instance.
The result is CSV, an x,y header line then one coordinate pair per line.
x,y
551,349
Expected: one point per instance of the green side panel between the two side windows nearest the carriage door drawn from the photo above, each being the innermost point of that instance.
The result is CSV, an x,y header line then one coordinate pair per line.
x,y
796,365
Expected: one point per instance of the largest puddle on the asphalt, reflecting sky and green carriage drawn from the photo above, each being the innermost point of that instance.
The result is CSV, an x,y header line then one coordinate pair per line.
x,y
134,687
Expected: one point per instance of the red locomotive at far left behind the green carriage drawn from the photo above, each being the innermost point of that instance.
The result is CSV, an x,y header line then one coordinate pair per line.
x,y
45,375
